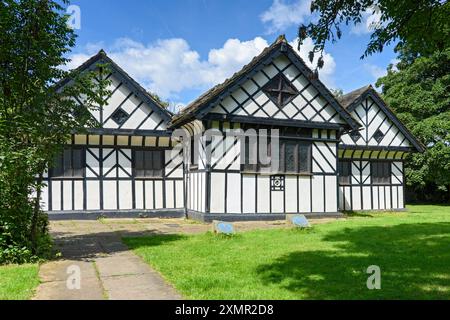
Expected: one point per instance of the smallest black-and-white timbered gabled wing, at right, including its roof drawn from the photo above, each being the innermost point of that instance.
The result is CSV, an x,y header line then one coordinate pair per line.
x,y
372,159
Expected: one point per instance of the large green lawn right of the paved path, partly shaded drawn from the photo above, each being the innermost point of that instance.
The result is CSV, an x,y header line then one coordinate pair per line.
x,y
328,261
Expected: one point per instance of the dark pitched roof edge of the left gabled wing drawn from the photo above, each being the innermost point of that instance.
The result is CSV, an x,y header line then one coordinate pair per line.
x,y
102,58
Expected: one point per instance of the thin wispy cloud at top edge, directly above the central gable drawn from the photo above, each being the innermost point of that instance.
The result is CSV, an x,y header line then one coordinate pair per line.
x,y
282,15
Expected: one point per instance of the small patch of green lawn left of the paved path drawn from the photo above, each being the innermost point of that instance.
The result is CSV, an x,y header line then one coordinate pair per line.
x,y
18,282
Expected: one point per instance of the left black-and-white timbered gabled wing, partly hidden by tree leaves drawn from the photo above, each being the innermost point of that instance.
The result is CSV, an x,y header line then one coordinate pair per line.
x,y
126,164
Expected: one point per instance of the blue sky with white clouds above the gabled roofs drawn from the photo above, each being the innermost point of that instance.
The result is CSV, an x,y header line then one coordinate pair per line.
x,y
180,48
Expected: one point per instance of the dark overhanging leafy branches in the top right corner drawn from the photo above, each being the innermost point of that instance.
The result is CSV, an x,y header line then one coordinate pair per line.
x,y
422,25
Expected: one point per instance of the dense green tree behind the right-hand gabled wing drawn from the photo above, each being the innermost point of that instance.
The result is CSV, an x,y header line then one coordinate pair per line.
x,y
418,90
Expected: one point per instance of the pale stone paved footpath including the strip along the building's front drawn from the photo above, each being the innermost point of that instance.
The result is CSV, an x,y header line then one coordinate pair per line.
x,y
108,269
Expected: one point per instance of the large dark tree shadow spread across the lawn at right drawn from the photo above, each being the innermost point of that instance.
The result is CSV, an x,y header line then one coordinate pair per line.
x,y
414,261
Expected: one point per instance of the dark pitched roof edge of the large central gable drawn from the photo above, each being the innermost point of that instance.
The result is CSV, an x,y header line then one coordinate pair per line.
x,y
206,101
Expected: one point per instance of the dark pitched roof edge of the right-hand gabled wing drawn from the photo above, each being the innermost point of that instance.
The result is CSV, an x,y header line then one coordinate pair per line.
x,y
351,100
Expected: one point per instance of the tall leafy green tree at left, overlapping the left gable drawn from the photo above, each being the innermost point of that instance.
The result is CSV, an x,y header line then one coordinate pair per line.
x,y
37,116
